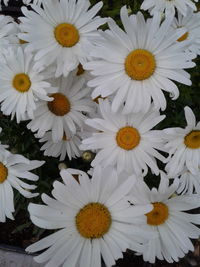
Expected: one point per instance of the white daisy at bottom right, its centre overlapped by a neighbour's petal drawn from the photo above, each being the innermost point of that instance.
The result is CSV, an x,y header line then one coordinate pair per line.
x,y
170,219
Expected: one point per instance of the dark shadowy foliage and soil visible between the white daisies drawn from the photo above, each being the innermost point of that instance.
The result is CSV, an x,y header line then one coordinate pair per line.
x,y
22,232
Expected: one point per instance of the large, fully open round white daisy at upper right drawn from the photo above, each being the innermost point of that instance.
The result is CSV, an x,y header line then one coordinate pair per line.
x,y
135,65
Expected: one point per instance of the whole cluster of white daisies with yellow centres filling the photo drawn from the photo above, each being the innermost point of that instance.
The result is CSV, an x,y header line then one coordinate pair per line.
x,y
83,88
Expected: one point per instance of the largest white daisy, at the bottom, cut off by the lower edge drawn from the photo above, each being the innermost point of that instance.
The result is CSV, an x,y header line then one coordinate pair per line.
x,y
94,218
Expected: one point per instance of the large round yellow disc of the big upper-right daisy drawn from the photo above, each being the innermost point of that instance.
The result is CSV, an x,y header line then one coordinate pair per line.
x,y
140,64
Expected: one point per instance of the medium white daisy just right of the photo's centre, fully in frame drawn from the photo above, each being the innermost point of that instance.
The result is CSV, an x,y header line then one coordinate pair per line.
x,y
125,141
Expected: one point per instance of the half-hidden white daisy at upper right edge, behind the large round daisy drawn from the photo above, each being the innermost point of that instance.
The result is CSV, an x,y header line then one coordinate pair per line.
x,y
191,23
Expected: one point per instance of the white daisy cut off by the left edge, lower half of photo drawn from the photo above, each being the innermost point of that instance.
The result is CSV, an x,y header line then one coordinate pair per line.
x,y
13,167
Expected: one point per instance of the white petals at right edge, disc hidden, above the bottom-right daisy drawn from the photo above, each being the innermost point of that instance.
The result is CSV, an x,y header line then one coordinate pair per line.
x,y
189,183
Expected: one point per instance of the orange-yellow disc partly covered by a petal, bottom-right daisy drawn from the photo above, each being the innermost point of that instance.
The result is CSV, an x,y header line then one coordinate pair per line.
x,y
158,215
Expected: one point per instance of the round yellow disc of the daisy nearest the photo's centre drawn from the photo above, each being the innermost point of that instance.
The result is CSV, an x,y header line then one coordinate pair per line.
x,y
128,138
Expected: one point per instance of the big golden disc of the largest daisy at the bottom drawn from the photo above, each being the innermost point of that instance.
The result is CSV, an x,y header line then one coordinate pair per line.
x,y
93,220
